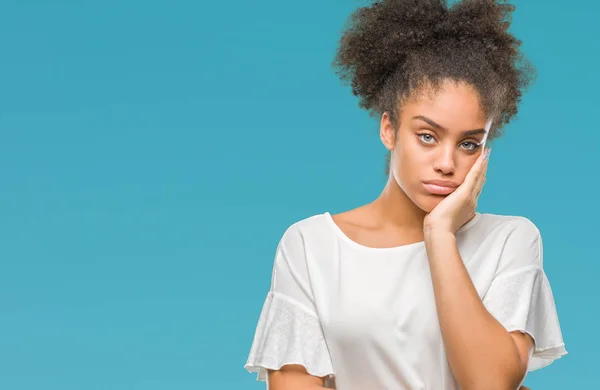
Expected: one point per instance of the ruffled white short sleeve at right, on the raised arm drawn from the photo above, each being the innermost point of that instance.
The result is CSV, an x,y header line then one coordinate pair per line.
x,y
520,297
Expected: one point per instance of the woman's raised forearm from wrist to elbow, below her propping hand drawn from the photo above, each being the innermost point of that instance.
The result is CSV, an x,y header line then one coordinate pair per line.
x,y
481,353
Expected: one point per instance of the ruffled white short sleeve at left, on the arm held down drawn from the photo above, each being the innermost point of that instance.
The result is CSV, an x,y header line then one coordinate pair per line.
x,y
289,330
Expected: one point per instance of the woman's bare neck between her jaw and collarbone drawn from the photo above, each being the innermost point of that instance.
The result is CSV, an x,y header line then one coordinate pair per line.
x,y
394,207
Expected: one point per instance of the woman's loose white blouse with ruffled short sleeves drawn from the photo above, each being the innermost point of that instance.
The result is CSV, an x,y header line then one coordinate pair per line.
x,y
366,318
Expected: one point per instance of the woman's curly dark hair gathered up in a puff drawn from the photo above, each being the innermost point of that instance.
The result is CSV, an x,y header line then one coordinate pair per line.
x,y
391,48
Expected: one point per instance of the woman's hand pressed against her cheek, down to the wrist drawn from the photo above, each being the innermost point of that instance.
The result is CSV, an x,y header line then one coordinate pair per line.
x,y
459,207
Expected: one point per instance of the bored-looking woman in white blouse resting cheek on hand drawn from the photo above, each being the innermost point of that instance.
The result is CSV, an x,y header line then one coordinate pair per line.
x,y
417,290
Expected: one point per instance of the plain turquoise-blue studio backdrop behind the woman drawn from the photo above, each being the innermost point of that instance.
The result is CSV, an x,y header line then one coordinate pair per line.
x,y
153,152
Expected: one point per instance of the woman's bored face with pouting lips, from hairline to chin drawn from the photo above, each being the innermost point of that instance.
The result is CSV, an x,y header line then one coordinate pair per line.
x,y
436,143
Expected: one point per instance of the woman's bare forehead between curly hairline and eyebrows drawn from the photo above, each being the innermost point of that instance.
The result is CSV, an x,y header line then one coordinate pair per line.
x,y
453,105
